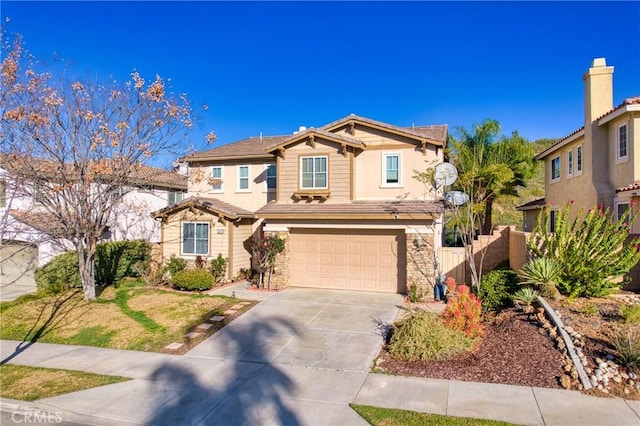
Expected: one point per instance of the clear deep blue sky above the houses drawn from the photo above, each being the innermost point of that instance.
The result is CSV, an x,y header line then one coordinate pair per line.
x,y
271,67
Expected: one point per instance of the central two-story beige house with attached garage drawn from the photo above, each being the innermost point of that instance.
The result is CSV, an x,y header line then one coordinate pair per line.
x,y
342,196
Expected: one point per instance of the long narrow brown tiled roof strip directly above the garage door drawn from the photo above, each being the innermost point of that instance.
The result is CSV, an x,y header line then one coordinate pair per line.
x,y
357,209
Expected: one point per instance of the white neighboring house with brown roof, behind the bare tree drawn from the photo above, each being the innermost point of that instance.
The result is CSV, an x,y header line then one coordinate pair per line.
x,y
30,238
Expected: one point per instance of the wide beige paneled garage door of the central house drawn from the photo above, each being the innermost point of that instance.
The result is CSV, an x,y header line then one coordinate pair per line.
x,y
347,259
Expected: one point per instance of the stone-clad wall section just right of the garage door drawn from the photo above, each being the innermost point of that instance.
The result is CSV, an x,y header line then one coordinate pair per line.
x,y
420,263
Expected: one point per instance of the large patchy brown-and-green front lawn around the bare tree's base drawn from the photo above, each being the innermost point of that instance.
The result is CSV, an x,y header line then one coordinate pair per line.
x,y
133,318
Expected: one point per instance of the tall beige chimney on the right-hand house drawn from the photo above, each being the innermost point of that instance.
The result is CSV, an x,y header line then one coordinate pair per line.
x,y
598,90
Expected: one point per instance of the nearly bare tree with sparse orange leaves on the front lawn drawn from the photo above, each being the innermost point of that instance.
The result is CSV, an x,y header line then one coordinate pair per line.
x,y
75,147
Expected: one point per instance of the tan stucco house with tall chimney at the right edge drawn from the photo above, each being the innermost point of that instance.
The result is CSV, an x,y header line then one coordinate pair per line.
x,y
600,162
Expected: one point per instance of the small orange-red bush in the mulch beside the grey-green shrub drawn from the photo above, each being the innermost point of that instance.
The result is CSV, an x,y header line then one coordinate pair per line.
x,y
464,312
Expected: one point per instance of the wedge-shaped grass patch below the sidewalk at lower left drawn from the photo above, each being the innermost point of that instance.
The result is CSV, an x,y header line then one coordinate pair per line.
x,y
32,383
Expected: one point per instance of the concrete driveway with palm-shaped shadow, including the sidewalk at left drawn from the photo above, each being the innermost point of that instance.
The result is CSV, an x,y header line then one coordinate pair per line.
x,y
297,358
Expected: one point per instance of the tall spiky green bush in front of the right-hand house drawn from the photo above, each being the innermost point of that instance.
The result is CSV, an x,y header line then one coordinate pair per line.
x,y
592,252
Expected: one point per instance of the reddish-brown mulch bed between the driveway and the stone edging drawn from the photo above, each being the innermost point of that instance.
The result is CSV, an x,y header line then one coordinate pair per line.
x,y
512,351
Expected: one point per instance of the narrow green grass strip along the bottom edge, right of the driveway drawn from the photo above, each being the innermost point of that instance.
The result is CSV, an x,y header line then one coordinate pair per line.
x,y
377,416
